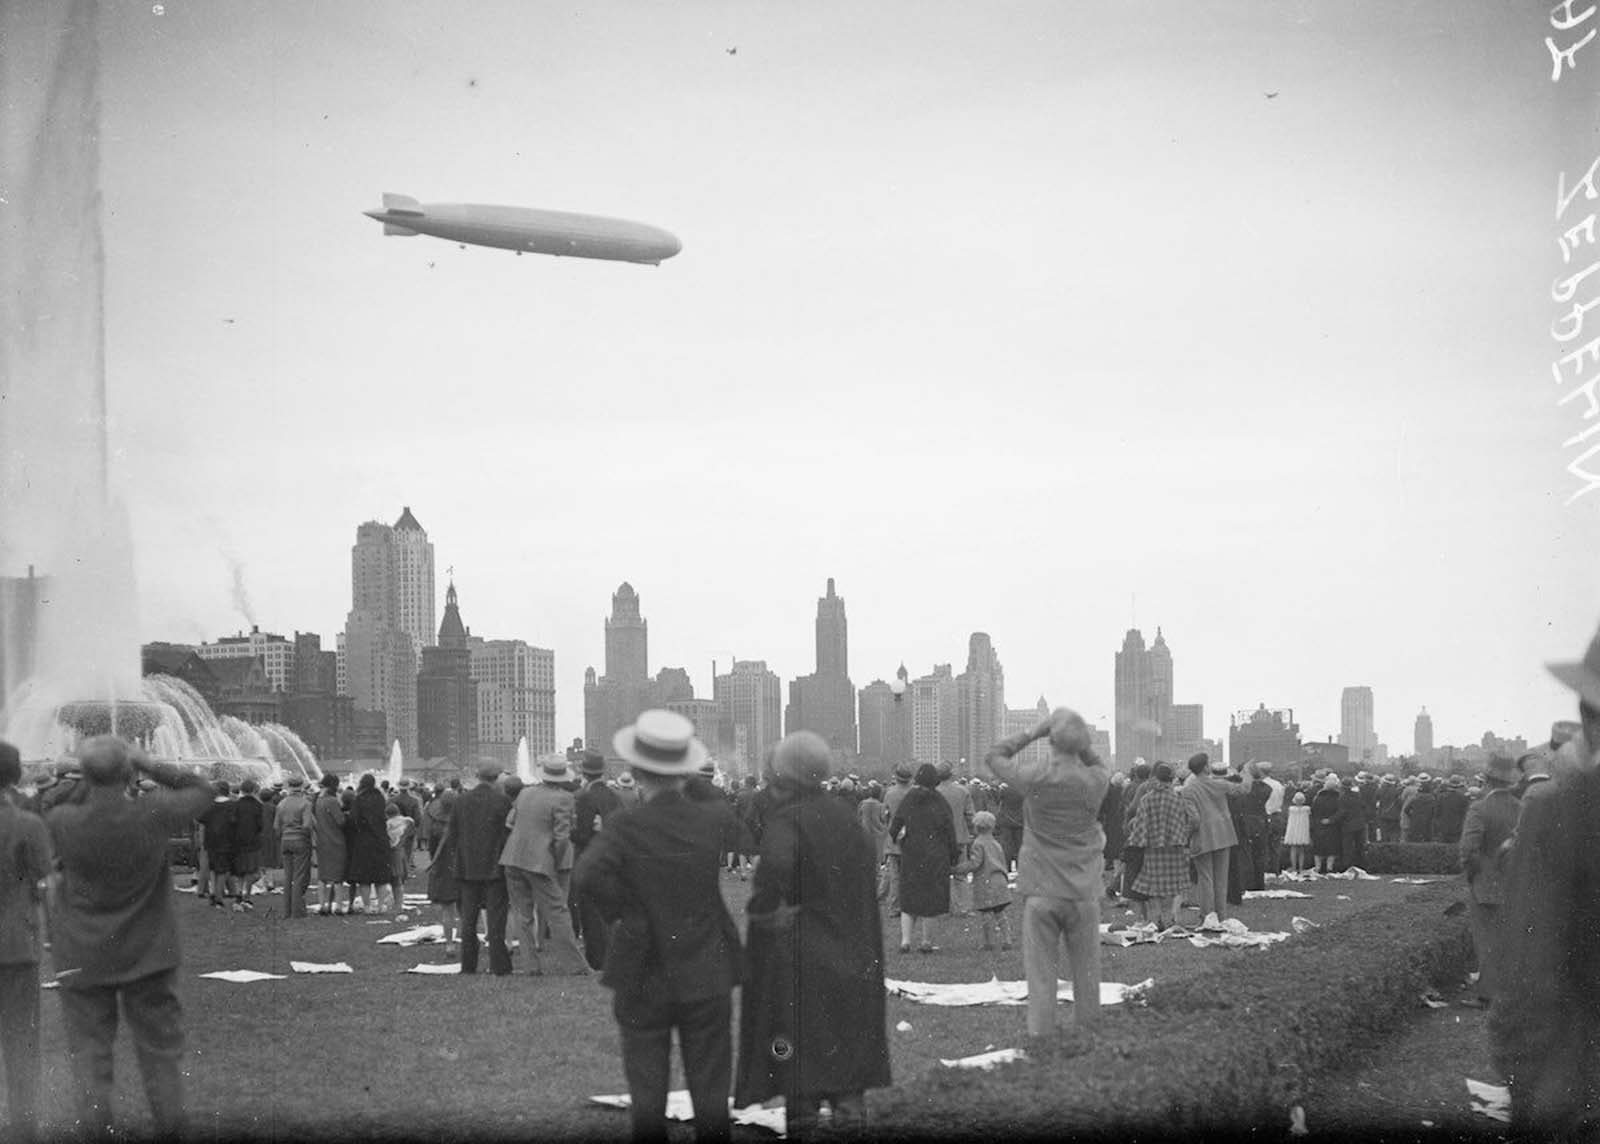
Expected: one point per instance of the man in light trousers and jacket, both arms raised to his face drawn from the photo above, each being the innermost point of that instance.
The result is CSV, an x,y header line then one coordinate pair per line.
x,y
1062,866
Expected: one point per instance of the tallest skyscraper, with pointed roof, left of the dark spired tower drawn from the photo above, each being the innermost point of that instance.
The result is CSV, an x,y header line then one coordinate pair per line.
x,y
391,572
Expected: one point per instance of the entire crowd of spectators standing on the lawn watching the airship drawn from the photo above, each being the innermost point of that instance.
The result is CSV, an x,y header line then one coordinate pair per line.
x,y
623,876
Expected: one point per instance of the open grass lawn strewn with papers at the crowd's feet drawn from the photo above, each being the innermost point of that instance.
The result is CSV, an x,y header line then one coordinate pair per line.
x,y
391,1055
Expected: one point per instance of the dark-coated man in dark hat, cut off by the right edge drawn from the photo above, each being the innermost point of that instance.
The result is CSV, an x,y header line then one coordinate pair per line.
x,y
1545,1022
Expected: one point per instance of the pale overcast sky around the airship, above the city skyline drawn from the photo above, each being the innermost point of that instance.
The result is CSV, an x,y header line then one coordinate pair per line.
x,y
1004,316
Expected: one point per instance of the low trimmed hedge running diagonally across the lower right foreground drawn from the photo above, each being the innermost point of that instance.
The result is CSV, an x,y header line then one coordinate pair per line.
x,y
1234,1047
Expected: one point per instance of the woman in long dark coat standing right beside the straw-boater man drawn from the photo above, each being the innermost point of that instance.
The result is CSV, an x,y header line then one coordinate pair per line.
x,y
814,1015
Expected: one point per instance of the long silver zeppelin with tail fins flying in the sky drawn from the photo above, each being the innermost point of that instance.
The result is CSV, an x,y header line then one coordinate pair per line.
x,y
527,231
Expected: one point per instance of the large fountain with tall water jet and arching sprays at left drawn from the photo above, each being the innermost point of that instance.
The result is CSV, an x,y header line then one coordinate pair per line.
x,y
70,638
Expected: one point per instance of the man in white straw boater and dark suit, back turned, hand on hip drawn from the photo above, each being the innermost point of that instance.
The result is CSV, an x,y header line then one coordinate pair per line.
x,y
673,958
